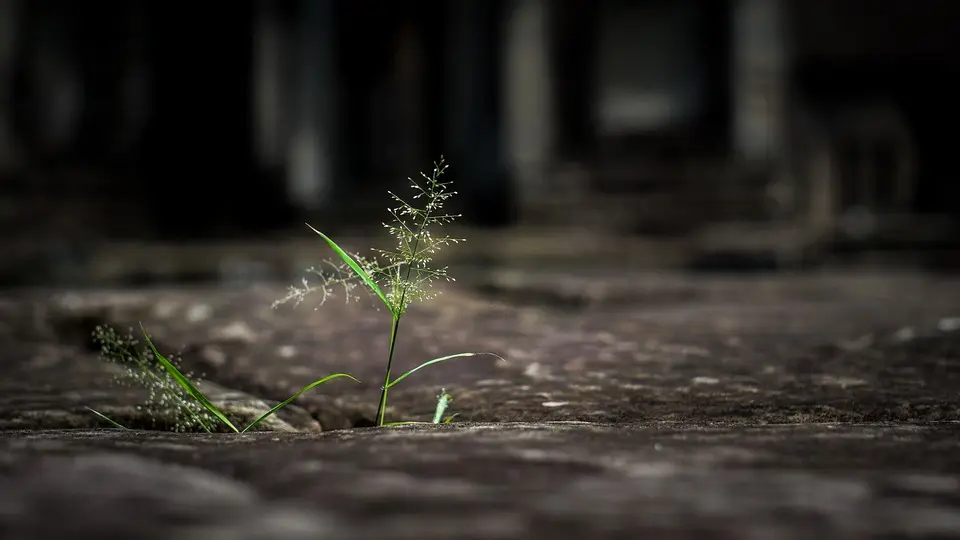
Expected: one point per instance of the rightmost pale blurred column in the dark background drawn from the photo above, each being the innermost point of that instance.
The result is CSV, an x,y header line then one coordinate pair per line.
x,y
759,73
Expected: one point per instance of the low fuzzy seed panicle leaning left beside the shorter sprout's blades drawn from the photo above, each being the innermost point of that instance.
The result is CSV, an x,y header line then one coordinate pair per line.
x,y
140,368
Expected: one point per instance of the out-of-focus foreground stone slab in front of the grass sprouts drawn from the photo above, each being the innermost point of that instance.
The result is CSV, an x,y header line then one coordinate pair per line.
x,y
487,481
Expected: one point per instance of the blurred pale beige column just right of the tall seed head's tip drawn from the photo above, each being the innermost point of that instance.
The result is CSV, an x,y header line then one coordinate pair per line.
x,y
528,95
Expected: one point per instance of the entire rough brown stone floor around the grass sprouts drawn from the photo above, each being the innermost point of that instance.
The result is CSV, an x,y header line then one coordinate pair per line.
x,y
805,406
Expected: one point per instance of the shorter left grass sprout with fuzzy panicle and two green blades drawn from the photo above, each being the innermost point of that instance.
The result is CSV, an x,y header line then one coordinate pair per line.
x,y
170,388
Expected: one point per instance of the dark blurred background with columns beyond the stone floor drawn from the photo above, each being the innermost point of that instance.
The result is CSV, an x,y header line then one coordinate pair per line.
x,y
145,140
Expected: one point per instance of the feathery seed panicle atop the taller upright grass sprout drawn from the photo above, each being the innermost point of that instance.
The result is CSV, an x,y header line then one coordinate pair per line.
x,y
404,273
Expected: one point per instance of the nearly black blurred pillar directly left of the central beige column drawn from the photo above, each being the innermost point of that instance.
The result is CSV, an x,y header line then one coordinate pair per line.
x,y
473,144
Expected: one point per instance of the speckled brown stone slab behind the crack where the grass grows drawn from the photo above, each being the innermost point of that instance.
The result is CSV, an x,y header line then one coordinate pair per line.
x,y
787,349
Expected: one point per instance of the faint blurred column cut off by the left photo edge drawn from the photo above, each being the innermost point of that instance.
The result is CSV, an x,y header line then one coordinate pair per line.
x,y
9,24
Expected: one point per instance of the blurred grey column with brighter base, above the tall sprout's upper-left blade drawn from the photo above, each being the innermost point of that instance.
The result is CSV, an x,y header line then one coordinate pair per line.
x,y
310,153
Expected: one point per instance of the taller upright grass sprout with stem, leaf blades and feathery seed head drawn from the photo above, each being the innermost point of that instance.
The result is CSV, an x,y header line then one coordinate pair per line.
x,y
402,275
